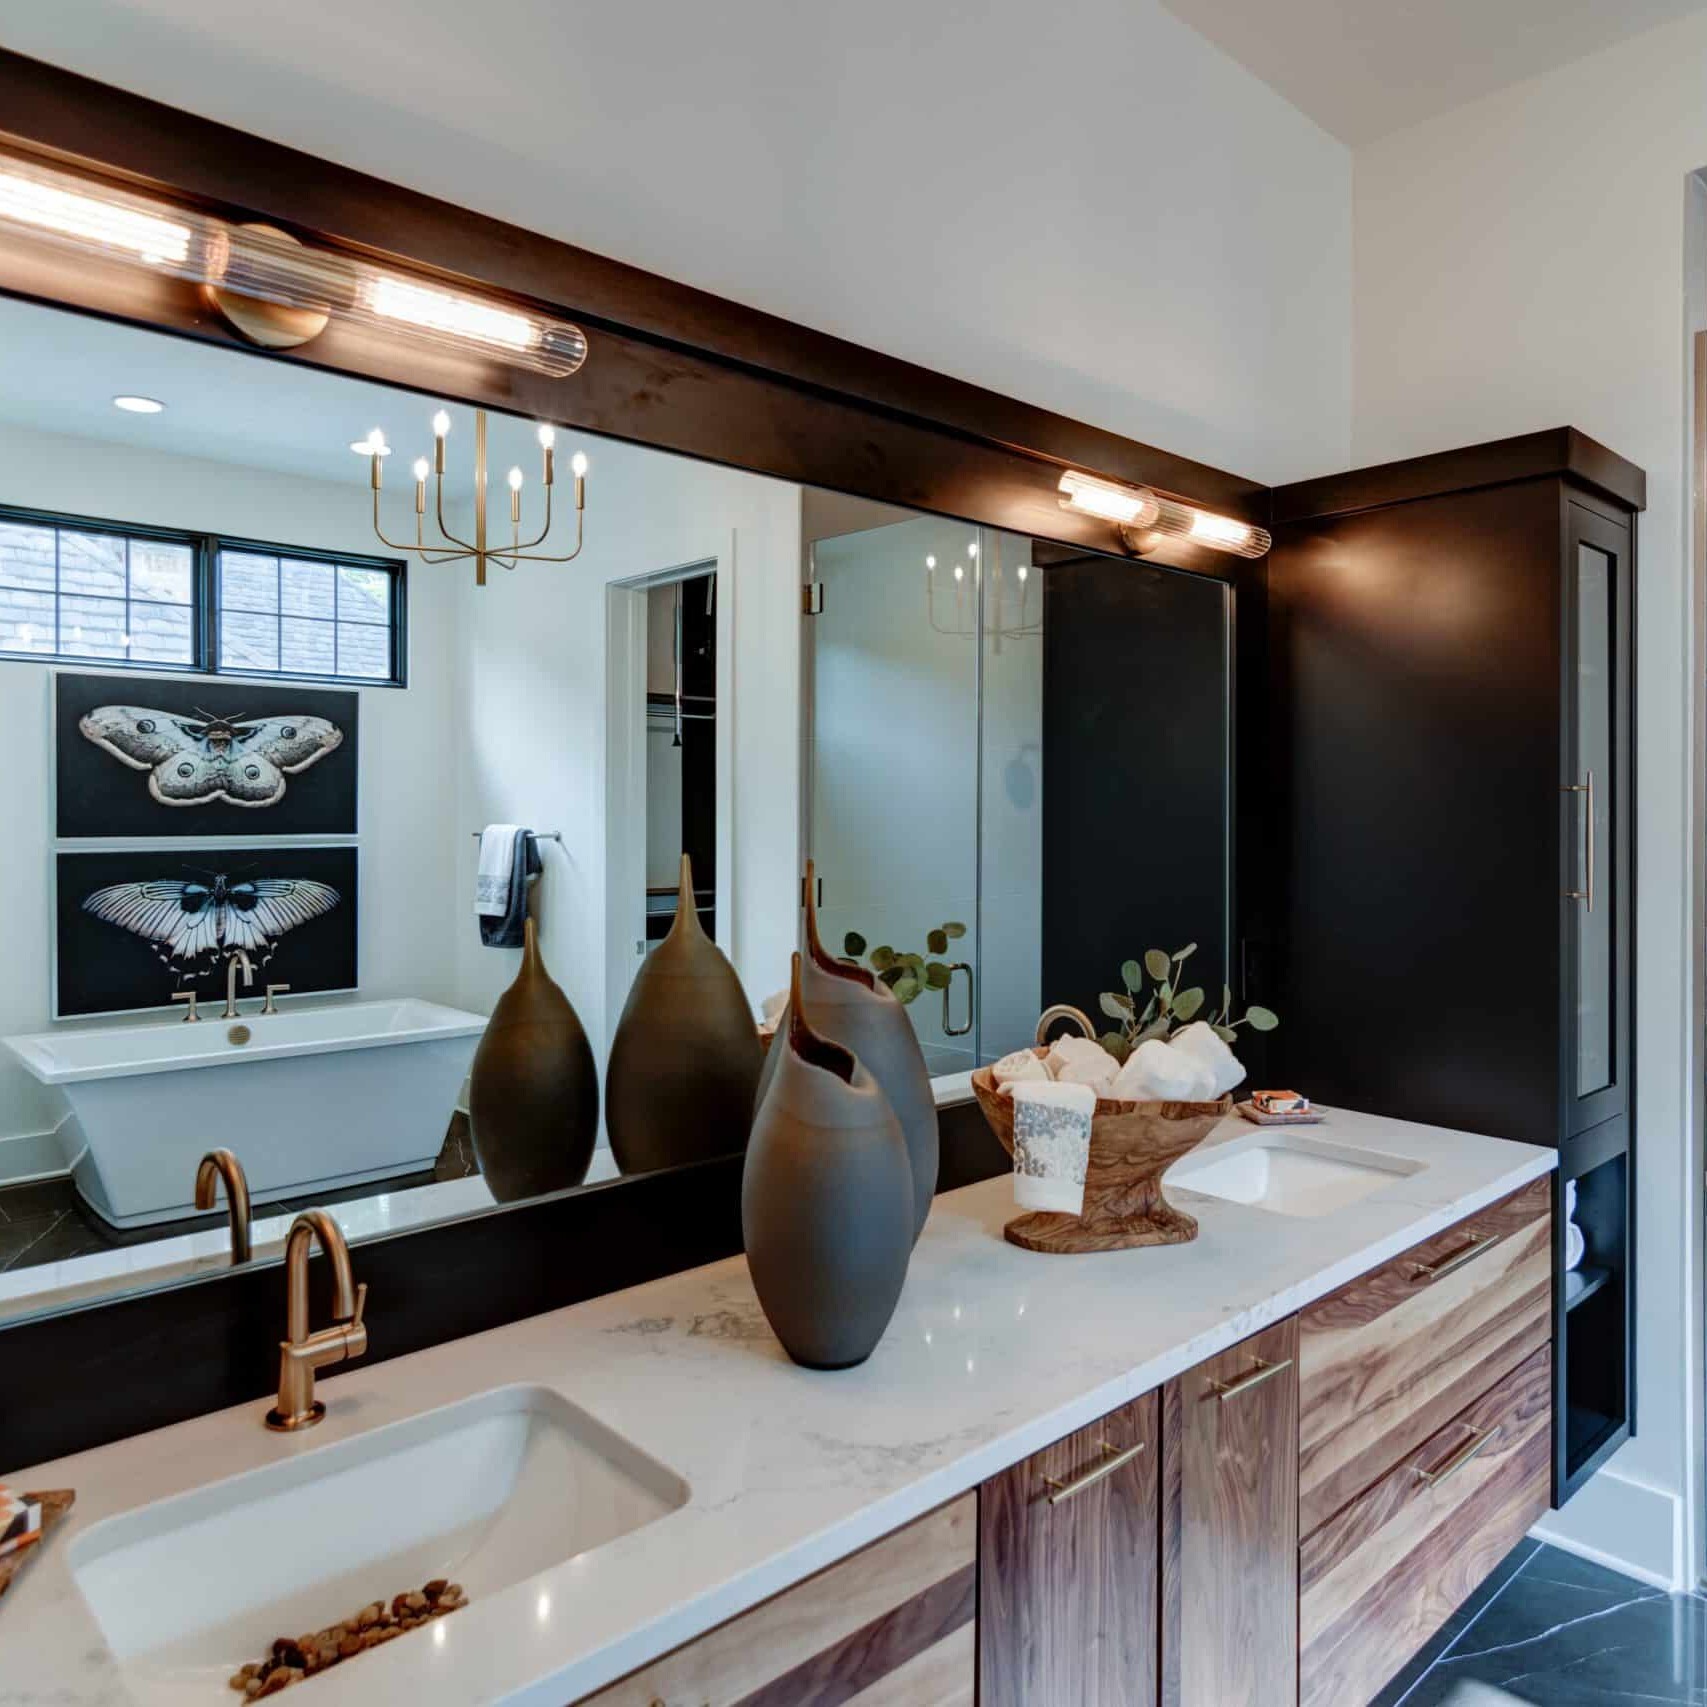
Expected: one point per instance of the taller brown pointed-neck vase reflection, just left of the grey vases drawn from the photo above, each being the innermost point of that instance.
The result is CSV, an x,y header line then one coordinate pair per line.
x,y
687,1057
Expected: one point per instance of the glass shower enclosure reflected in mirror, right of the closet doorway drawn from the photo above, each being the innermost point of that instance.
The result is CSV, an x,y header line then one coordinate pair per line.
x,y
924,767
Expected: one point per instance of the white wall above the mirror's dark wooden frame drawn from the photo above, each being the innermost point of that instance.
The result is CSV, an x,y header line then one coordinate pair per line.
x,y
1085,206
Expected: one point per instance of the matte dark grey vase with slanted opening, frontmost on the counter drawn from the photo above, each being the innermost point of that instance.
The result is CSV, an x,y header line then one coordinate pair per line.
x,y
827,1201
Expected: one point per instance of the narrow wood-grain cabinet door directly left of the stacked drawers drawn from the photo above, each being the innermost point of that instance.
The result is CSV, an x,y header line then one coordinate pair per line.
x,y
1230,1527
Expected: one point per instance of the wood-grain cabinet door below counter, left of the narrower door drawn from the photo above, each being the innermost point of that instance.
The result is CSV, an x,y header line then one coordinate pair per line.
x,y
1068,1571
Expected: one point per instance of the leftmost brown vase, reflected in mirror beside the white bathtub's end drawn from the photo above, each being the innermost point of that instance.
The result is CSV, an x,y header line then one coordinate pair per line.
x,y
533,1093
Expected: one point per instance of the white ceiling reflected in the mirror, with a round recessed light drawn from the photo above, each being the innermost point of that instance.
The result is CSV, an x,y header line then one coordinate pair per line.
x,y
61,371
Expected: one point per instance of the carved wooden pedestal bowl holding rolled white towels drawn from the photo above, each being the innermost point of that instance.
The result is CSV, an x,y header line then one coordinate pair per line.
x,y
1133,1146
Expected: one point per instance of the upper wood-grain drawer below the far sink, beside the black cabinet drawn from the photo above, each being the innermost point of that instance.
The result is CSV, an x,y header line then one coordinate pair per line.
x,y
1395,1355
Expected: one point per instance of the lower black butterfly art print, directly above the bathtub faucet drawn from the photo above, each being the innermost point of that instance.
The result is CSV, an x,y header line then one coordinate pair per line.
x,y
139,926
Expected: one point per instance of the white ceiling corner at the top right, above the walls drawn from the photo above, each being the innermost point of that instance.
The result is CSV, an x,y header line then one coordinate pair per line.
x,y
1363,69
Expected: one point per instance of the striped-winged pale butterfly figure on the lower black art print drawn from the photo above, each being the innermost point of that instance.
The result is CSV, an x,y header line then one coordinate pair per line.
x,y
195,923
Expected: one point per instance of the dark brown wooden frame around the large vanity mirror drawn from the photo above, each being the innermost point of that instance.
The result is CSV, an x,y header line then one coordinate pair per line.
x,y
670,368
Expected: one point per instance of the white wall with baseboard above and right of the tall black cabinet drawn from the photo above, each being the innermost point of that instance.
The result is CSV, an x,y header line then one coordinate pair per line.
x,y
1522,264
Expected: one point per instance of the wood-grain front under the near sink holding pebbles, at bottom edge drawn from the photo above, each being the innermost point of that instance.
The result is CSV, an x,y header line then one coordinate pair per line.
x,y
894,1626
